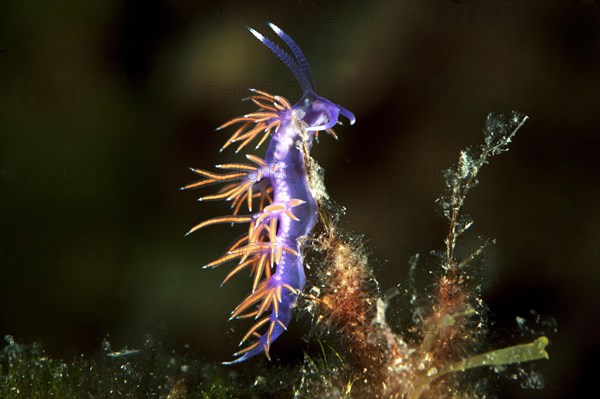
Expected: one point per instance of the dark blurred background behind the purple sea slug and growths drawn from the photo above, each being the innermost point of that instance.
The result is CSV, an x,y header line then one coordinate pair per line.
x,y
103,106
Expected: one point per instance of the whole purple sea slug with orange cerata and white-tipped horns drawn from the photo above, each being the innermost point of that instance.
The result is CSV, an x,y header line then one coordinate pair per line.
x,y
287,209
